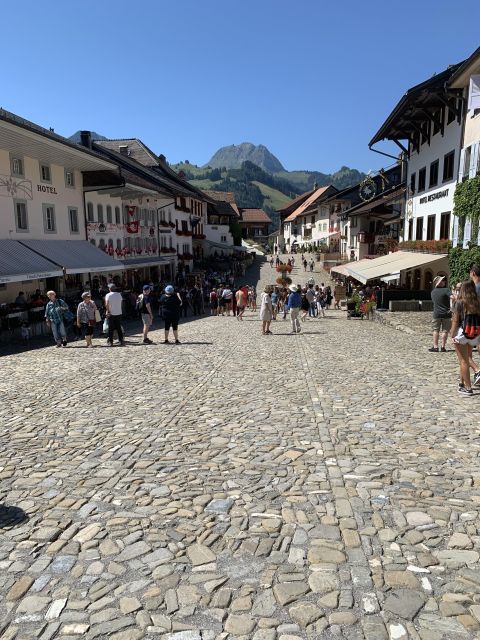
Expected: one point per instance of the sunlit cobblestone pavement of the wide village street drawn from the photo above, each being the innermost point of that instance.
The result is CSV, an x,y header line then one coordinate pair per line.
x,y
318,485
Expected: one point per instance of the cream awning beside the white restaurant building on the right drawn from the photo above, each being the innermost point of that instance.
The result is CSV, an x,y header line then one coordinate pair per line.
x,y
365,270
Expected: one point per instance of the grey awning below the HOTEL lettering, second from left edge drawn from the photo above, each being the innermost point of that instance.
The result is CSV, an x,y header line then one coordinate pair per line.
x,y
74,256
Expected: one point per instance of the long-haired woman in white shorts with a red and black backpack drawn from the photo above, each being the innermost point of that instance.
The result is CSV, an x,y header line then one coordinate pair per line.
x,y
466,332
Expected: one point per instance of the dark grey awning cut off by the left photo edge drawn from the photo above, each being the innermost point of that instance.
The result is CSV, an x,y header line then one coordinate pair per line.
x,y
18,263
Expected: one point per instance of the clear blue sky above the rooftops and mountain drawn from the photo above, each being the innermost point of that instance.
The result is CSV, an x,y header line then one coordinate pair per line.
x,y
311,79
